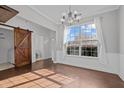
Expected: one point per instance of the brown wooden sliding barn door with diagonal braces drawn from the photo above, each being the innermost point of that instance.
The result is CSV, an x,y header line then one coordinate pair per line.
x,y
22,44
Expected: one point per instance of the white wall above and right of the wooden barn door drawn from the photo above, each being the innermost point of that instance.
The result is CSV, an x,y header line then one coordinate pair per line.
x,y
44,33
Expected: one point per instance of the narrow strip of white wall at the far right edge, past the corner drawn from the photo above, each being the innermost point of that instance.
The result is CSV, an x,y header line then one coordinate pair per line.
x,y
121,16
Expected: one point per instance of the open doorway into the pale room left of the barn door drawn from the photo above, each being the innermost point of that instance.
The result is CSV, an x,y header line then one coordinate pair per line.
x,y
6,48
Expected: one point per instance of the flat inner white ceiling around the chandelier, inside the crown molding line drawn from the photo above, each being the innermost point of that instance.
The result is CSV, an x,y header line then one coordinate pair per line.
x,y
54,12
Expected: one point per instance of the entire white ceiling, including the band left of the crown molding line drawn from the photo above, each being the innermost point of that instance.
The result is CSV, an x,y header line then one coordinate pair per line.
x,y
49,15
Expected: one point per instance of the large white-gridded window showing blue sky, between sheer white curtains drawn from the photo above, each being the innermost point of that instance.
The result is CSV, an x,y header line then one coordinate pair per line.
x,y
82,40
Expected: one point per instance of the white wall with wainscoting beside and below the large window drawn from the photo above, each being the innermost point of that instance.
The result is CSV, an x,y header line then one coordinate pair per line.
x,y
110,35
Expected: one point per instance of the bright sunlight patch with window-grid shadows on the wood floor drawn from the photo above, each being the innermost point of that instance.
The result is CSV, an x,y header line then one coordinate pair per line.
x,y
42,78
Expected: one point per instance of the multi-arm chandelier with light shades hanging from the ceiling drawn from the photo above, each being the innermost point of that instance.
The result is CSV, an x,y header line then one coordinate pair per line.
x,y
71,17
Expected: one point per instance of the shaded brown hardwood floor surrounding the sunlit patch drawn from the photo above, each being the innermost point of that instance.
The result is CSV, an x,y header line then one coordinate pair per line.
x,y
83,78
